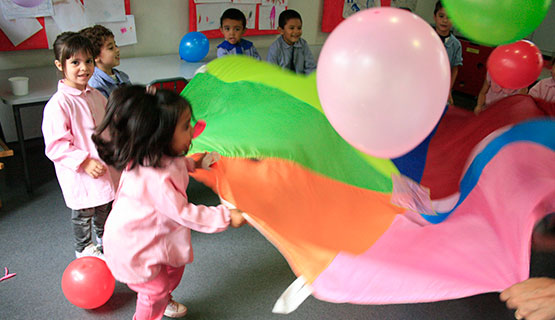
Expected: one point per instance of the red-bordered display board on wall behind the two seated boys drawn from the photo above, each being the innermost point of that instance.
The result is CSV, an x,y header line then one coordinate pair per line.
x,y
261,15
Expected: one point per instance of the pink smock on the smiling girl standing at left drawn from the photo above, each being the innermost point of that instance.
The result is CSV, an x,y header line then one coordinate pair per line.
x,y
68,122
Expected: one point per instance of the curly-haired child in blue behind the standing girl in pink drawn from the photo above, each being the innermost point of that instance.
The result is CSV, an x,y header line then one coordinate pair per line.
x,y
106,77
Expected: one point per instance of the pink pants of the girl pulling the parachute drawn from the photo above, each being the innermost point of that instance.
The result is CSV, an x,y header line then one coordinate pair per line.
x,y
153,296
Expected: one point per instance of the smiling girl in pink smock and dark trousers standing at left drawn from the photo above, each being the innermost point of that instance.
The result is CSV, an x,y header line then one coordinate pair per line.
x,y
68,123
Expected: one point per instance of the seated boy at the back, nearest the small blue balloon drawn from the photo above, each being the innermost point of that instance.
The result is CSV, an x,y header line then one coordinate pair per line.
x,y
233,25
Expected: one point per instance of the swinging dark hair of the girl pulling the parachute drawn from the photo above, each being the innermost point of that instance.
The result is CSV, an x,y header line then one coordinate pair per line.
x,y
138,127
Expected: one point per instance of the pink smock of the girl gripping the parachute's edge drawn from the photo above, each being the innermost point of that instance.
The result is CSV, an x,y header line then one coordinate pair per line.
x,y
151,221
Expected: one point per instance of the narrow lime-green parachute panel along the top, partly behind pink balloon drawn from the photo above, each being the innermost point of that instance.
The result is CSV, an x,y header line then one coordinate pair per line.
x,y
234,68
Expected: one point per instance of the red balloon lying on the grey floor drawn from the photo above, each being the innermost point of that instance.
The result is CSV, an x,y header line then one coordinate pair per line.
x,y
88,283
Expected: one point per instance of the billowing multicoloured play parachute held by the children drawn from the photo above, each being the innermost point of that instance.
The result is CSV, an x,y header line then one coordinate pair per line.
x,y
328,207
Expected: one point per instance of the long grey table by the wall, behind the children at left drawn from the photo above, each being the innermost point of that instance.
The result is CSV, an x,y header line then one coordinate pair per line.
x,y
43,84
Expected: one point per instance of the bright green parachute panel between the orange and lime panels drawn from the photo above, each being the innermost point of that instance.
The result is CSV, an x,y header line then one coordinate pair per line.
x,y
251,120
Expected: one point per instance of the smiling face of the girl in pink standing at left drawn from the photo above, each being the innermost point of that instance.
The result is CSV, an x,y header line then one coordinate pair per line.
x,y
77,70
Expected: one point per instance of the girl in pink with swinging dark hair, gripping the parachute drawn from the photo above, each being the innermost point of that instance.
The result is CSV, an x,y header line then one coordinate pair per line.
x,y
147,241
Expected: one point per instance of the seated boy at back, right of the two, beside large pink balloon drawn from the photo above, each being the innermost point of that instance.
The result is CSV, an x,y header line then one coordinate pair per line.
x,y
290,51
